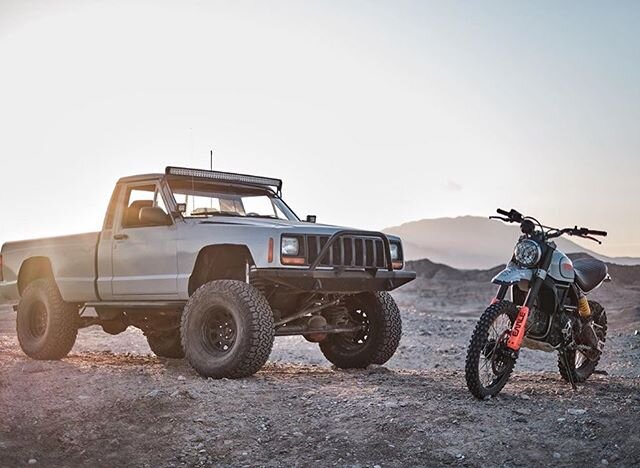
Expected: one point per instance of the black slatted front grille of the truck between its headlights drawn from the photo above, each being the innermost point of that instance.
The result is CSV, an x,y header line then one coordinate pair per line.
x,y
346,251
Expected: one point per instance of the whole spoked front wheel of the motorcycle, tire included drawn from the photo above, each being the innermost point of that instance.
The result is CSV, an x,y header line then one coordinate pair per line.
x,y
488,365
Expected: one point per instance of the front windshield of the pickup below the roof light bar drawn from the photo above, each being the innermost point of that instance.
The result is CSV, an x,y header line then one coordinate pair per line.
x,y
205,199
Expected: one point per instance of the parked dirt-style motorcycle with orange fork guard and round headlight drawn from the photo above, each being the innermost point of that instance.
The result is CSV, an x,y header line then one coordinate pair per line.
x,y
548,310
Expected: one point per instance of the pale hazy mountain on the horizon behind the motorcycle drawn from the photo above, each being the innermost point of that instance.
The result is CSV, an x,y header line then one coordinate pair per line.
x,y
473,242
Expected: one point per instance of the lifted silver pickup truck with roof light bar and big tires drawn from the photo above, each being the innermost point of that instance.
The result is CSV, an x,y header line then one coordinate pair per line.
x,y
211,266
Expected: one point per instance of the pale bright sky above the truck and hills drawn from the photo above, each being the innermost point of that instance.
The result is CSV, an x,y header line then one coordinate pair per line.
x,y
374,113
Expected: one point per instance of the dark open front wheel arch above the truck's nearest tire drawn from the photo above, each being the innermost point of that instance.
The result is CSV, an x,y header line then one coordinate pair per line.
x,y
220,261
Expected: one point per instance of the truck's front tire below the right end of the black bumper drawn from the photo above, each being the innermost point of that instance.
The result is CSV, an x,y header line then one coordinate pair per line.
x,y
378,342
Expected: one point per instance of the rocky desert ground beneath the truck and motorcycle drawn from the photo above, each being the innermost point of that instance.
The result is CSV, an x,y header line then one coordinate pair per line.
x,y
113,403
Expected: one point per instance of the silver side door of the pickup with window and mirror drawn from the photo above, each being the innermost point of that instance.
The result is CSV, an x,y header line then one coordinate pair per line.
x,y
144,256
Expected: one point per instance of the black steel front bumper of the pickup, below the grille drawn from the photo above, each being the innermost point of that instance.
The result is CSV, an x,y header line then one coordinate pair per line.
x,y
335,280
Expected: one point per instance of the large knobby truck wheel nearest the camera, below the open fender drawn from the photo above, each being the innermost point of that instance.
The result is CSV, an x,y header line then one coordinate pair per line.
x,y
227,330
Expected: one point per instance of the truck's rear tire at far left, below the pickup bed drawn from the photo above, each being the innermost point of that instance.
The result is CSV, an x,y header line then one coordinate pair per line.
x,y
46,325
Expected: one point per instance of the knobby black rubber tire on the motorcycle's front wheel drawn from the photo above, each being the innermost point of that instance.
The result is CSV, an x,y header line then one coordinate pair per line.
x,y
505,312
